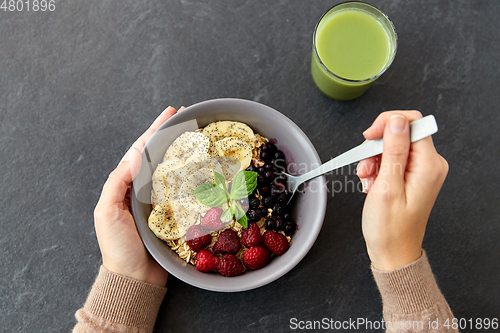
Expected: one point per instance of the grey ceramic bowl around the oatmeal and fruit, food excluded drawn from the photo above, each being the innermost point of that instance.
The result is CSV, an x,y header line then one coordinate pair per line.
x,y
308,210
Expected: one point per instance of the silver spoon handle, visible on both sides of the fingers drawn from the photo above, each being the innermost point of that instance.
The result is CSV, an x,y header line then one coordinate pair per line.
x,y
419,129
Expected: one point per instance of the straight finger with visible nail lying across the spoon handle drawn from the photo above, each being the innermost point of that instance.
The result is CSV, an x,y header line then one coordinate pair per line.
x,y
395,155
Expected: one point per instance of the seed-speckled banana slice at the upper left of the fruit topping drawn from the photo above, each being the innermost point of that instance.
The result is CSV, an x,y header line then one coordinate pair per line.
x,y
186,145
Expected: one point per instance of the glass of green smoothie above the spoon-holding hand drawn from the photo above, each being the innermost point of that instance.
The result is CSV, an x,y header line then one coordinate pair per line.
x,y
353,44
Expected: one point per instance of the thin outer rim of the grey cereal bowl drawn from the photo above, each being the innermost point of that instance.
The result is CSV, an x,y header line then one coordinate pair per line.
x,y
178,272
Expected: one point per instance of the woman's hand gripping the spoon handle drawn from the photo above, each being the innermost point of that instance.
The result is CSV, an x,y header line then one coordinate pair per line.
x,y
402,185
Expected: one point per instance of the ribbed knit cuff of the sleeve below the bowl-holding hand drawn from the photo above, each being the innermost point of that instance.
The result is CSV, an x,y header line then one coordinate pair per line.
x,y
123,300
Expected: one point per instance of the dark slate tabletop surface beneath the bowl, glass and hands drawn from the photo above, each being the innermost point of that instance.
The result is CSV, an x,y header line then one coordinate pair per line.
x,y
79,84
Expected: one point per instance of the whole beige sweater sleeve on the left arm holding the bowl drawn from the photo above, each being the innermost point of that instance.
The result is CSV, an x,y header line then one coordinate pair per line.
x,y
118,303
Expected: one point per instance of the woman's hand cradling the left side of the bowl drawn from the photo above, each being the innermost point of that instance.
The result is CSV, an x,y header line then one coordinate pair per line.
x,y
121,247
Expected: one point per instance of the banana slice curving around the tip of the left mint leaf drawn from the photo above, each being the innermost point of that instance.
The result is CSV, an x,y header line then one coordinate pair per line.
x,y
186,196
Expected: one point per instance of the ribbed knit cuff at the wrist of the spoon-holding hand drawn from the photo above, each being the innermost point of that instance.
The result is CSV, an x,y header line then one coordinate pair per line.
x,y
408,289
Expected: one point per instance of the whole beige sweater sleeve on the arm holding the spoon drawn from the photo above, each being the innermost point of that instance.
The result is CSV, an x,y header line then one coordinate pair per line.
x,y
411,299
